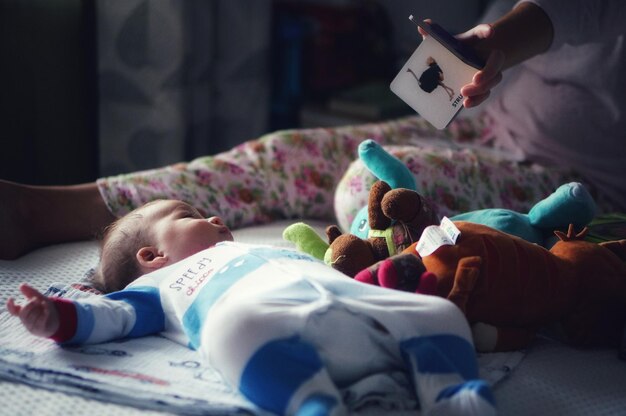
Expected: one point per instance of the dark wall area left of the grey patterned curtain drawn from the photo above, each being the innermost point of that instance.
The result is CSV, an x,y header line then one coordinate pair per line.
x,y
47,93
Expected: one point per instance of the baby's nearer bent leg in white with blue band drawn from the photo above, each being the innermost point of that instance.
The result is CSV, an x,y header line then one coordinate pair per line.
x,y
255,348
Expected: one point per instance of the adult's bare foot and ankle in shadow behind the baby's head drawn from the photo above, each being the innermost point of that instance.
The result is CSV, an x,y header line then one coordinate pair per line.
x,y
34,216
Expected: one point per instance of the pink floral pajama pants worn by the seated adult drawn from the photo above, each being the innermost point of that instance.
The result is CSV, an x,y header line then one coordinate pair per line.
x,y
315,174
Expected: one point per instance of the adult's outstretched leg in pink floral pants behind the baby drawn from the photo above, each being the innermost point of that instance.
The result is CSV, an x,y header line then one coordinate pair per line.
x,y
284,174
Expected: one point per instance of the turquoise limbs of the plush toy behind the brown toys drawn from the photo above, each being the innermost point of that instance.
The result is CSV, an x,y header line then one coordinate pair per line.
x,y
570,203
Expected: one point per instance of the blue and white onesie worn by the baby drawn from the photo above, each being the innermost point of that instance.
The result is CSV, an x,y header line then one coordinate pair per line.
x,y
290,332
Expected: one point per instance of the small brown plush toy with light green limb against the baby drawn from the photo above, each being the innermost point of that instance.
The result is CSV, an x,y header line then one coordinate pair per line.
x,y
397,217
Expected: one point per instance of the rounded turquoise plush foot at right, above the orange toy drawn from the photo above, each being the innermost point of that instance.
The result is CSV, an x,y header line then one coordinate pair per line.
x,y
570,203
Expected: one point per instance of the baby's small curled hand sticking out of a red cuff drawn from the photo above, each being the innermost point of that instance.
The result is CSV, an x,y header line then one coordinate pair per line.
x,y
38,314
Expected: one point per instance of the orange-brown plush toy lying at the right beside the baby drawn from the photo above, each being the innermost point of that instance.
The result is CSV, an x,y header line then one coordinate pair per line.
x,y
509,288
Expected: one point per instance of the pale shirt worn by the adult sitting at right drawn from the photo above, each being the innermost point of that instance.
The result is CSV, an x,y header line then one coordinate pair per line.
x,y
565,107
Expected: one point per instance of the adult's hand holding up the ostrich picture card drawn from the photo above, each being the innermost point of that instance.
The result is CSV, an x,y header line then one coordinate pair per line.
x,y
487,78
